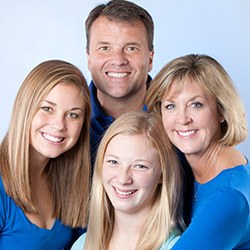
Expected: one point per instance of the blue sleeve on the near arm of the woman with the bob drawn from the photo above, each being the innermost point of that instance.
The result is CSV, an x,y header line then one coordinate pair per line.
x,y
218,223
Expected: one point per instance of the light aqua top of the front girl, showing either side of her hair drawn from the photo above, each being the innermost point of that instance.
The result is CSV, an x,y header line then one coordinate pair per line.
x,y
78,245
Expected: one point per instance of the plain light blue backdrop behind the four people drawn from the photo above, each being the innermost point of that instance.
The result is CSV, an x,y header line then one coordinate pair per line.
x,y
33,31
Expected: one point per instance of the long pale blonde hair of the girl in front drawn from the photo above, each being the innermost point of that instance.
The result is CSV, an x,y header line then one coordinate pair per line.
x,y
166,210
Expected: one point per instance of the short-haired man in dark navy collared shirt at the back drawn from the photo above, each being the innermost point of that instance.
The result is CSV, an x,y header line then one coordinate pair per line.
x,y
120,54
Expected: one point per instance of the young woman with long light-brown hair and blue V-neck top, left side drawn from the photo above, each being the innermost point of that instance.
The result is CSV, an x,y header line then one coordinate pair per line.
x,y
44,160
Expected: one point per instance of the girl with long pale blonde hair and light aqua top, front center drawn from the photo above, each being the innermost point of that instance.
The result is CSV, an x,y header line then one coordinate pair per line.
x,y
136,190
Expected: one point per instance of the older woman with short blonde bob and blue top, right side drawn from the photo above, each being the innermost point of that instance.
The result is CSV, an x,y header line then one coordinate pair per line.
x,y
204,117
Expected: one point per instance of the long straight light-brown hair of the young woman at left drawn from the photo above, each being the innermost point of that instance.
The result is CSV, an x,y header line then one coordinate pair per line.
x,y
68,174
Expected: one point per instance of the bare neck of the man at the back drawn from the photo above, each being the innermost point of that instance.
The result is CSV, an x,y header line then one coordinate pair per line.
x,y
115,107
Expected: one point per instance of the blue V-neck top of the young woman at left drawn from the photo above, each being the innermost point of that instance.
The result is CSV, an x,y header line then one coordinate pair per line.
x,y
17,232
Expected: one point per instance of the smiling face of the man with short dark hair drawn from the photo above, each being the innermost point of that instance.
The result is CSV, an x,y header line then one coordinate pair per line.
x,y
119,58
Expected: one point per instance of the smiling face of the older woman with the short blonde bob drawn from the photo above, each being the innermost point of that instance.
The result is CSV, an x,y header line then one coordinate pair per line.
x,y
190,118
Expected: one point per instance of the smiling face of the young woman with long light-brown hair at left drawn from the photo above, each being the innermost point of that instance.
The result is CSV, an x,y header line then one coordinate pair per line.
x,y
57,124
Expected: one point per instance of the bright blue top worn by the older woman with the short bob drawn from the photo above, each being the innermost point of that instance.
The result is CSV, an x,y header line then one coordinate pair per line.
x,y
220,217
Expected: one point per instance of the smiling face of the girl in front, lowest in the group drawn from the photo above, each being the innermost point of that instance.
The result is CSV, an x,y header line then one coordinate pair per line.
x,y
131,173
